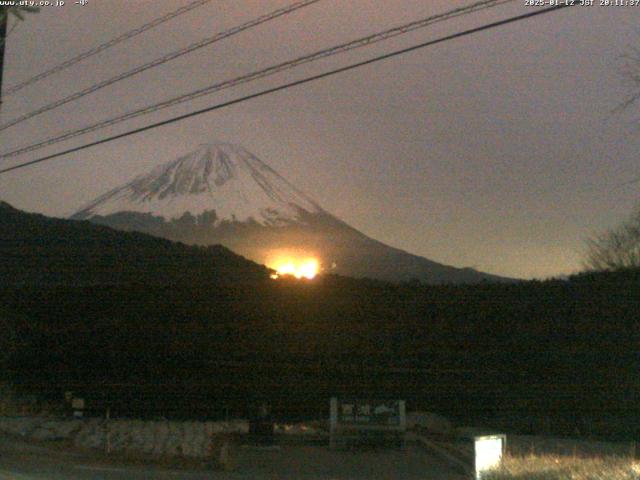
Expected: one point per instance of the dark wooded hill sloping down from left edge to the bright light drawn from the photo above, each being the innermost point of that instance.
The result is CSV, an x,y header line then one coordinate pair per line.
x,y
37,250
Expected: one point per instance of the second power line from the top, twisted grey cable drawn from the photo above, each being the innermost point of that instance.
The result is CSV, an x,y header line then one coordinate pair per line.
x,y
159,61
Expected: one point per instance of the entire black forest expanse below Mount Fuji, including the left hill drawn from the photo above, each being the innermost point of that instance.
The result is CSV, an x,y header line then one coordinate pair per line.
x,y
543,357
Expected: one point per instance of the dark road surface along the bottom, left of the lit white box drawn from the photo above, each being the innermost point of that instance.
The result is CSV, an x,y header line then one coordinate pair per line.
x,y
24,461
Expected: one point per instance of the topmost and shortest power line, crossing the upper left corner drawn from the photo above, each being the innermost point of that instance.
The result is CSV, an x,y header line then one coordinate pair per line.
x,y
104,46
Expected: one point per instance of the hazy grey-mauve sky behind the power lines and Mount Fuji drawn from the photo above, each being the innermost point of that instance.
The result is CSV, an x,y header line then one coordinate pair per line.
x,y
497,151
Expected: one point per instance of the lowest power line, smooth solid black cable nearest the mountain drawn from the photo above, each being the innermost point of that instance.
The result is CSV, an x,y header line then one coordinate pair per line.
x,y
293,84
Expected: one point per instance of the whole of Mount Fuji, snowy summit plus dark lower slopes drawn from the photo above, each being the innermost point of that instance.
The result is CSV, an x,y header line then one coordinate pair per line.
x,y
223,194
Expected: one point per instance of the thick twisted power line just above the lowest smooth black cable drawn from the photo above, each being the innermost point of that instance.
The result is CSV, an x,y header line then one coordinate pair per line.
x,y
272,70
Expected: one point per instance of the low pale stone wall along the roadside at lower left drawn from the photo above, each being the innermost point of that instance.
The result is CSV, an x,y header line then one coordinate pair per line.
x,y
160,438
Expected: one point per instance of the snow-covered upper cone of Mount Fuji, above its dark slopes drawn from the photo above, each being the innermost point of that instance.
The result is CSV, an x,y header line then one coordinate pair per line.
x,y
219,177
